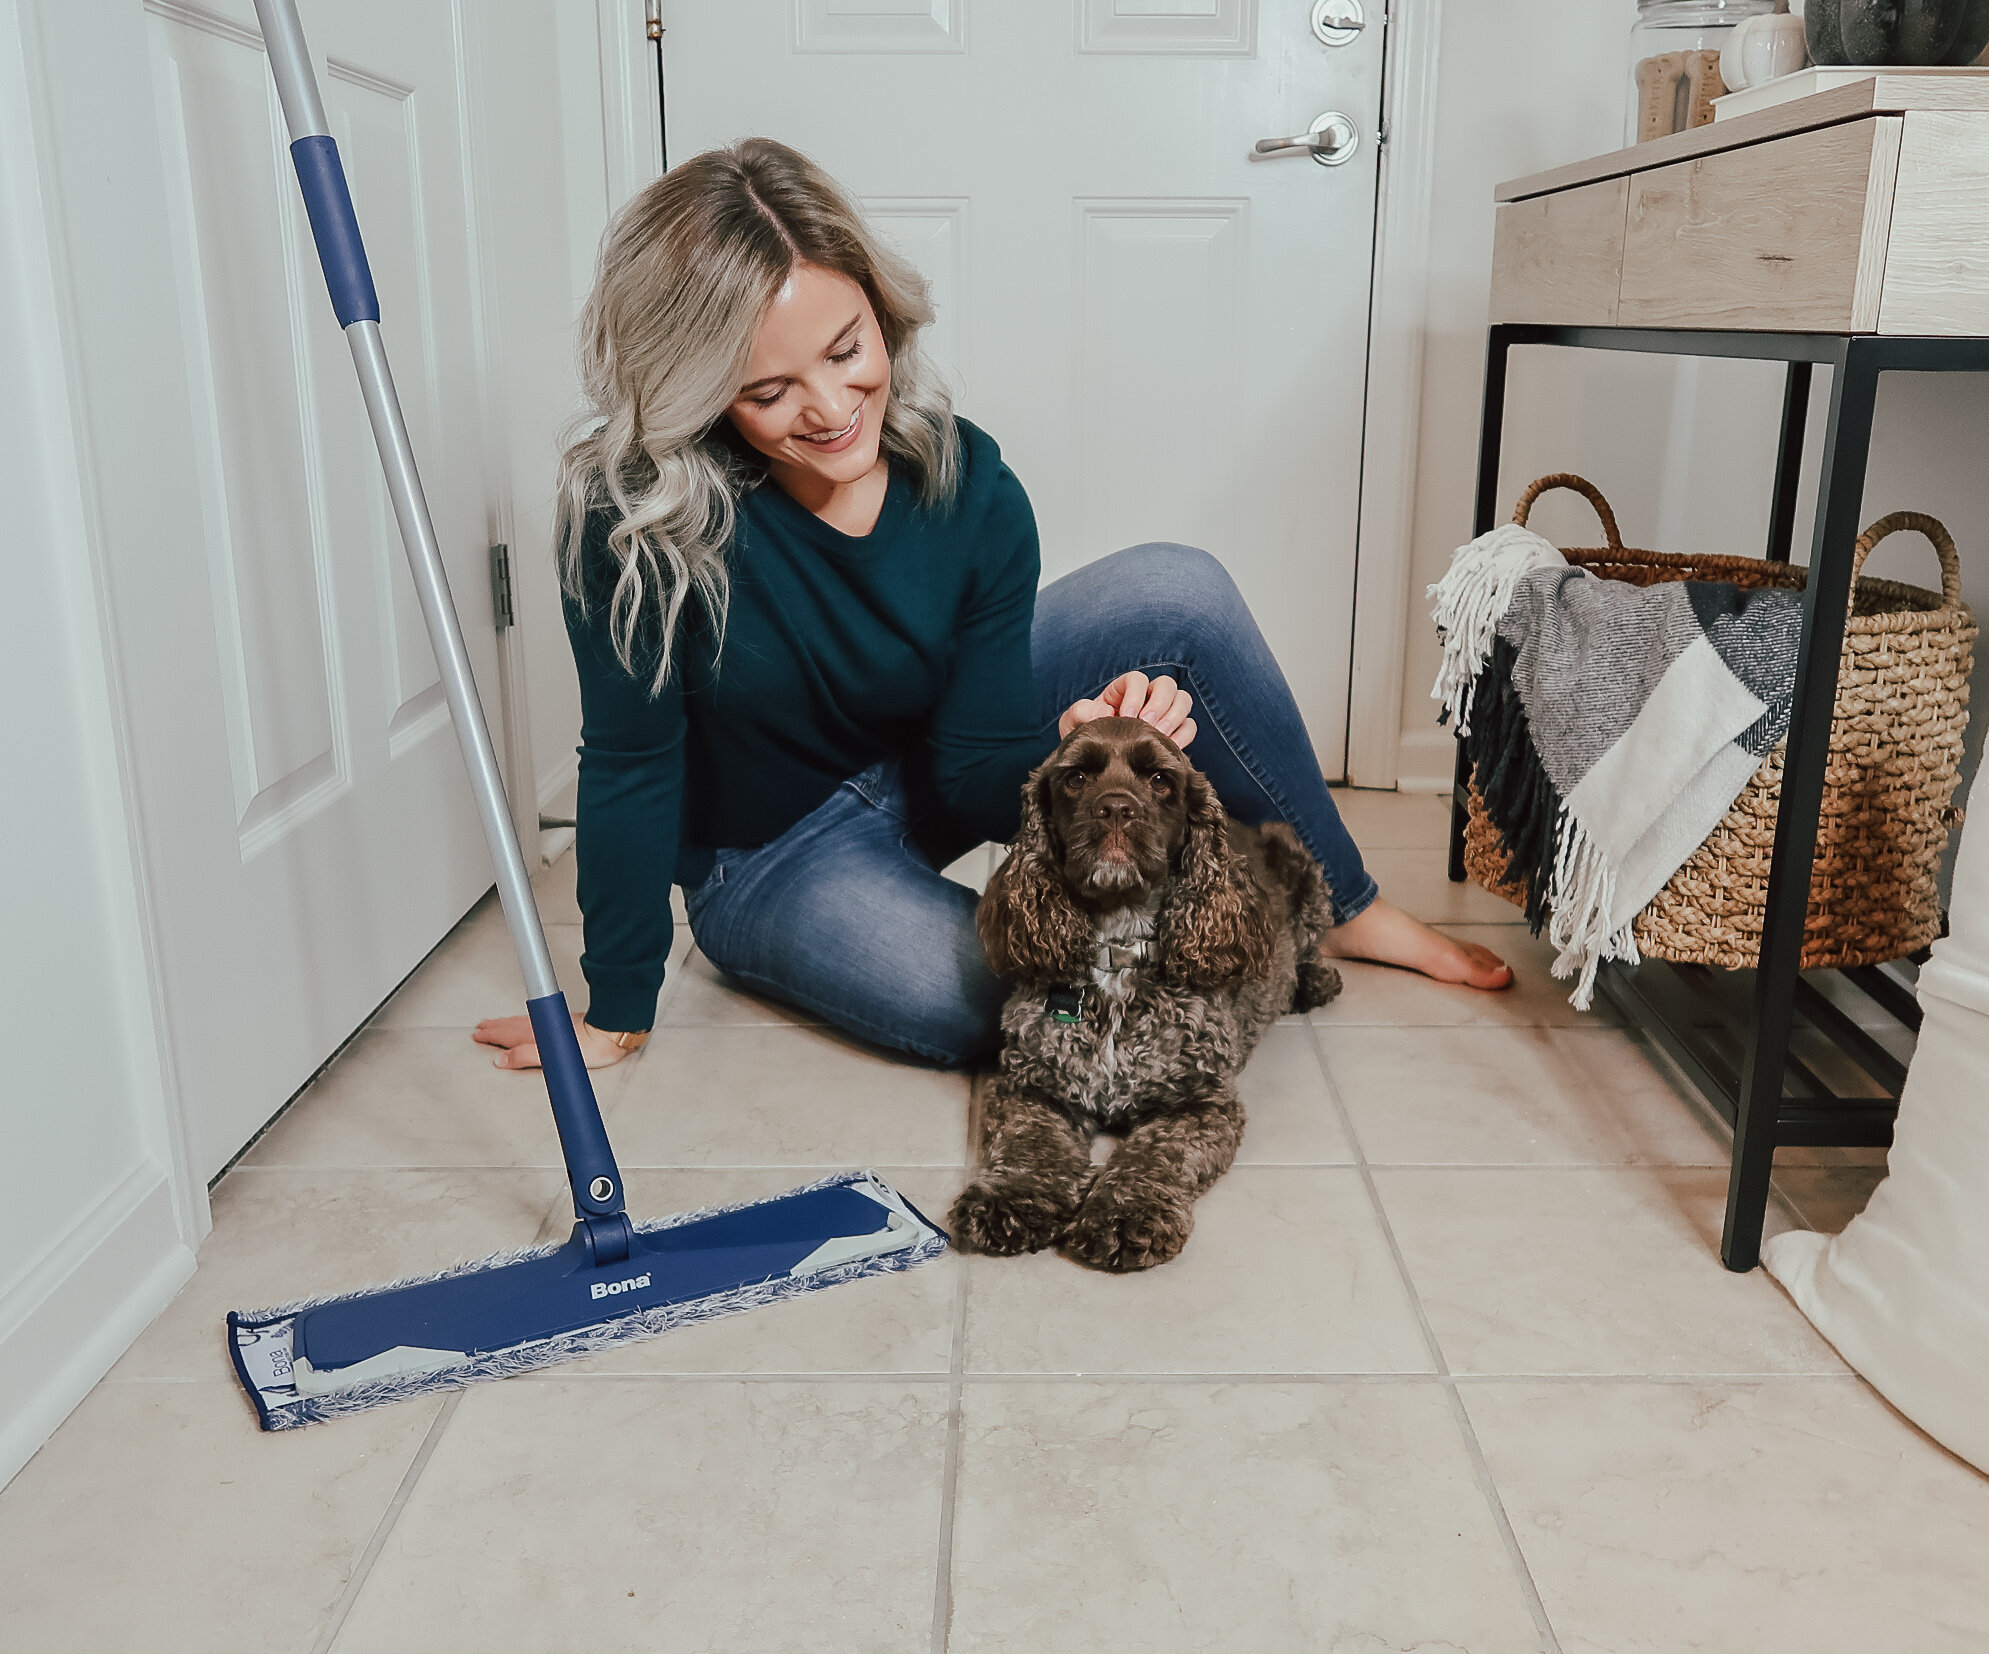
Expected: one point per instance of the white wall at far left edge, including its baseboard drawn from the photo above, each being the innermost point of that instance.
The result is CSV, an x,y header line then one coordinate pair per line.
x,y
90,1240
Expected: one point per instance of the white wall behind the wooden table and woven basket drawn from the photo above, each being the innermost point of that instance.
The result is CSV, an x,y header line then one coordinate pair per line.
x,y
1684,450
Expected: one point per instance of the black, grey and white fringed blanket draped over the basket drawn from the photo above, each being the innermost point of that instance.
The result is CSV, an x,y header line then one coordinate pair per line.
x,y
1610,727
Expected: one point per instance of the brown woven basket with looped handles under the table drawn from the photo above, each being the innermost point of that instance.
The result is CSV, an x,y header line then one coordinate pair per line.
x,y
1889,786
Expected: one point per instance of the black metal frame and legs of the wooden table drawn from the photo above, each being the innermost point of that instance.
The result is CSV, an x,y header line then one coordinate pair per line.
x,y
1753,1100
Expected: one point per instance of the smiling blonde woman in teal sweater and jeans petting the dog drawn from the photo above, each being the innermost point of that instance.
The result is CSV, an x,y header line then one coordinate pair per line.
x,y
814,663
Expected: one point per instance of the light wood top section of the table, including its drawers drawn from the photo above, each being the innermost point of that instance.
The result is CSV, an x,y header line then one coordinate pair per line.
x,y
1861,210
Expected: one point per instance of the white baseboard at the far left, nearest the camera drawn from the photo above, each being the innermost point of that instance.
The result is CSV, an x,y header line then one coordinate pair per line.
x,y
83,1305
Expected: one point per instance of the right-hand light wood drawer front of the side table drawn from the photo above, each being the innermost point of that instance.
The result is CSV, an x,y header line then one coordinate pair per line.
x,y
1783,236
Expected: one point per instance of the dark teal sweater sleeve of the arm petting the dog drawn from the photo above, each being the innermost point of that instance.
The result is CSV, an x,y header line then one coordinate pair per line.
x,y
986,733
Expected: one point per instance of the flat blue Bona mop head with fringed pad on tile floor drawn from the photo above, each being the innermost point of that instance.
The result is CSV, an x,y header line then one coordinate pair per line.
x,y
518,1311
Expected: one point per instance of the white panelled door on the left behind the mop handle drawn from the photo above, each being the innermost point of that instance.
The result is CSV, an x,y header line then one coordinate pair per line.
x,y
303,810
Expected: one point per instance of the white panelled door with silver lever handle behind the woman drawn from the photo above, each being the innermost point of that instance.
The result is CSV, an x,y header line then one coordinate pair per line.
x,y
1165,331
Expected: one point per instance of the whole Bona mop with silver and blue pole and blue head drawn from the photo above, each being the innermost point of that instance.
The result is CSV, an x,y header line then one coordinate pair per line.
x,y
612,1281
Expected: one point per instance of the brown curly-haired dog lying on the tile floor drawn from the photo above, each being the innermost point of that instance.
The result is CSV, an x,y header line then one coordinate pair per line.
x,y
1151,941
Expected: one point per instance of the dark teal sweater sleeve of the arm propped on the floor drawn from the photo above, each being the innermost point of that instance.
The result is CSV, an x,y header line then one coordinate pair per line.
x,y
630,812
